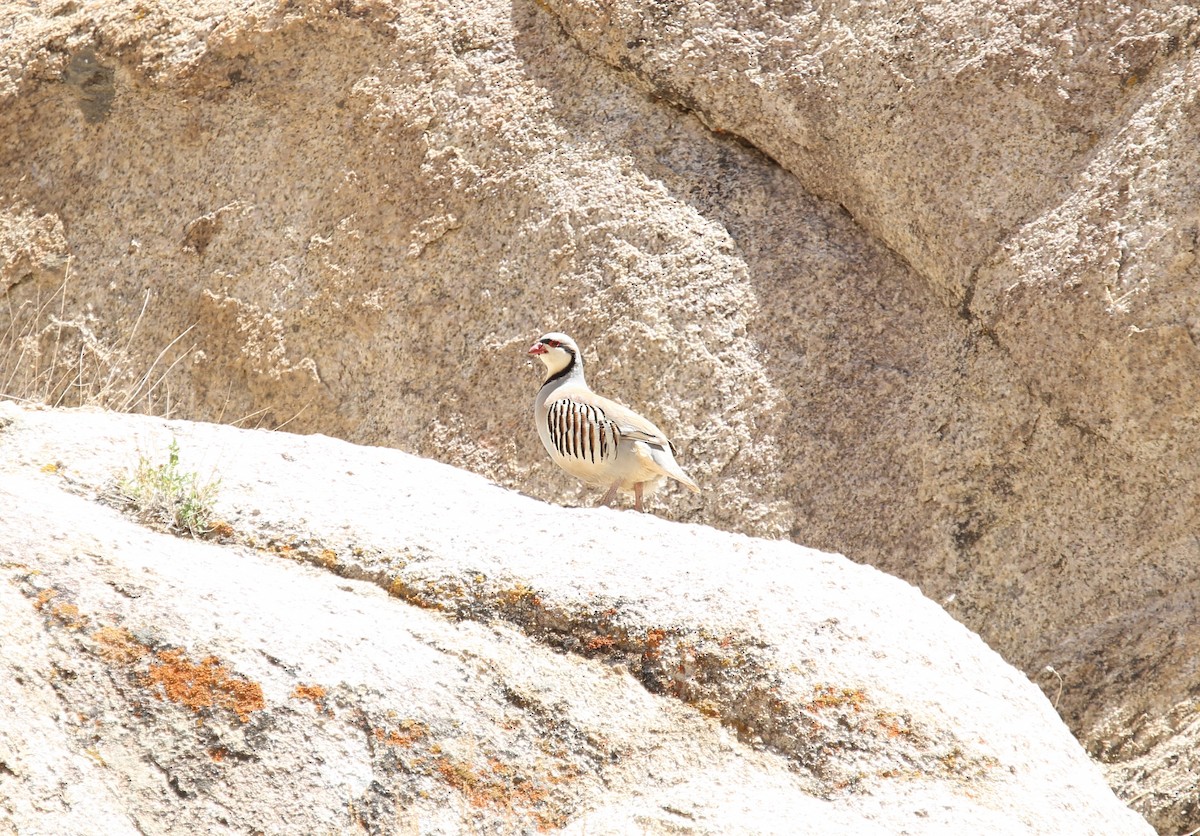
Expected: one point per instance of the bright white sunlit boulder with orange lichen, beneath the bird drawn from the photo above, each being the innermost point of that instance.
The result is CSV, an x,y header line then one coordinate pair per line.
x,y
350,655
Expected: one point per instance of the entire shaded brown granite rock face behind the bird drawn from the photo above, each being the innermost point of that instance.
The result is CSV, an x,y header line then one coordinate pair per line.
x,y
914,282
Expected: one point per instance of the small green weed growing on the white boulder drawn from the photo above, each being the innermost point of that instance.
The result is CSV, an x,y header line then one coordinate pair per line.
x,y
165,497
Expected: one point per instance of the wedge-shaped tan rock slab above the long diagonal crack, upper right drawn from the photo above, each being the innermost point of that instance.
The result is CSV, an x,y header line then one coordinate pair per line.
x,y
940,128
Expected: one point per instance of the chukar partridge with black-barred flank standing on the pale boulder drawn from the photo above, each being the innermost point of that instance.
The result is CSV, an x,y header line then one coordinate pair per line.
x,y
598,441
